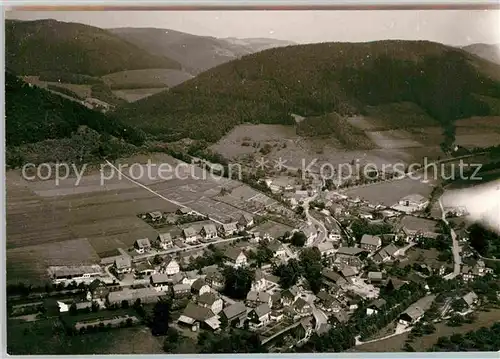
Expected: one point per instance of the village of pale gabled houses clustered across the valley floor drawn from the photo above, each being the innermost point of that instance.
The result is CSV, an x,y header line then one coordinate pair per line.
x,y
295,262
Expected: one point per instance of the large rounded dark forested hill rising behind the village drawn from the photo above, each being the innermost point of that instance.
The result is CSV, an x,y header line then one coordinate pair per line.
x,y
315,79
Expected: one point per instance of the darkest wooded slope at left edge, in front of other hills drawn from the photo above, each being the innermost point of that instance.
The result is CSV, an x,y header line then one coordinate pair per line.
x,y
34,115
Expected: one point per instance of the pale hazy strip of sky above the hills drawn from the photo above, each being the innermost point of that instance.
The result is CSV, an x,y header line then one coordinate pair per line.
x,y
451,27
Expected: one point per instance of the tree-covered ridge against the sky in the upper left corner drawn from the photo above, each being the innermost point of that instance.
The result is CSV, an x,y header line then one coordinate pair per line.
x,y
33,47
